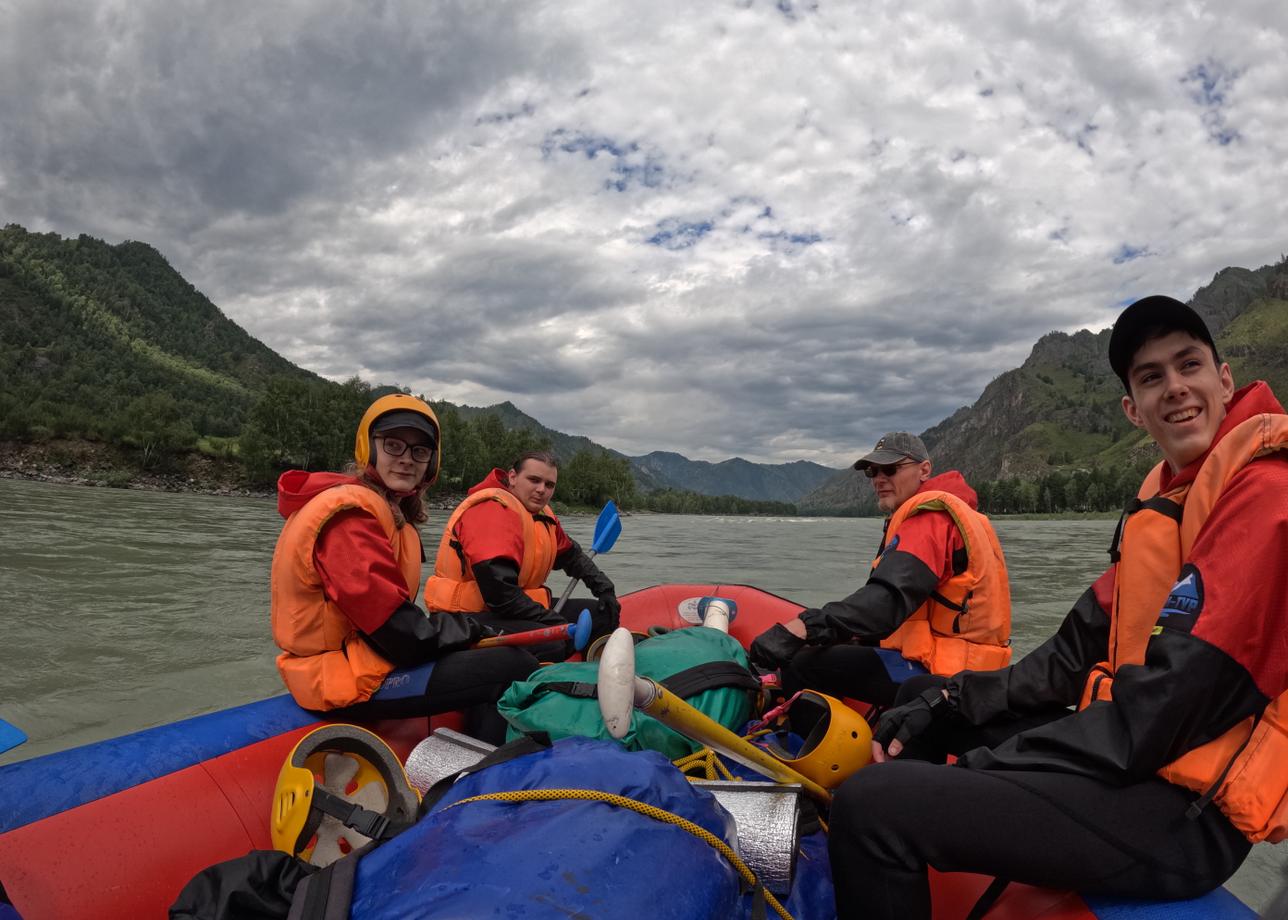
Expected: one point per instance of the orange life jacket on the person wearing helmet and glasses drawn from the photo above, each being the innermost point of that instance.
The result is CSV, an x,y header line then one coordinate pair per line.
x,y
325,663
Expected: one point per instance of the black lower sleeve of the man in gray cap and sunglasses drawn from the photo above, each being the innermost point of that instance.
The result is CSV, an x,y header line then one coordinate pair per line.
x,y
898,587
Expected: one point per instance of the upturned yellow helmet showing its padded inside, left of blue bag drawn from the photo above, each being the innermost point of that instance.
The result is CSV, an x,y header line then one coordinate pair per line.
x,y
341,788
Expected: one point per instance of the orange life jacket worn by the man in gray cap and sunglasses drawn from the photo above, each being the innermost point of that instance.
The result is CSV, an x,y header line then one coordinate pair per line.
x,y
967,622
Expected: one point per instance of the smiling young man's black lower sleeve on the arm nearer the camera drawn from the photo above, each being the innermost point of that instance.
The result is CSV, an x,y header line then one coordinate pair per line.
x,y
1160,711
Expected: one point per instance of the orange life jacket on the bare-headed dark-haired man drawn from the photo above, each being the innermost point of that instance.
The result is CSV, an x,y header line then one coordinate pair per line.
x,y
453,587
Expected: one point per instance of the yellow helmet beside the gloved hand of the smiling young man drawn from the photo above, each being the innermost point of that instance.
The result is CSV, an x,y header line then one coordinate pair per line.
x,y
838,740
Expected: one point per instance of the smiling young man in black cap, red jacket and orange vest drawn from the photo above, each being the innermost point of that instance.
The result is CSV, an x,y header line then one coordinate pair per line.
x,y
1177,662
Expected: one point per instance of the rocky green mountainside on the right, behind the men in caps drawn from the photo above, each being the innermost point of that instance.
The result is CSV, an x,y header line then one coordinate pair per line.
x,y
1052,436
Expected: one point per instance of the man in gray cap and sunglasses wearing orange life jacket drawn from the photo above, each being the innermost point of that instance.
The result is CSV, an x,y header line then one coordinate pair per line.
x,y
937,601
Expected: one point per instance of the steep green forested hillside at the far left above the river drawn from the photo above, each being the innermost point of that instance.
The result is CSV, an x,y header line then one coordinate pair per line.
x,y
109,342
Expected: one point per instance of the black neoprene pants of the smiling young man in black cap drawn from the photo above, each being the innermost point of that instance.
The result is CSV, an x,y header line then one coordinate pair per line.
x,y
1058,830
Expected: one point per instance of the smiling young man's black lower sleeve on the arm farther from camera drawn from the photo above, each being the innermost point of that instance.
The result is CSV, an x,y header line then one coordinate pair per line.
x,y
1053,675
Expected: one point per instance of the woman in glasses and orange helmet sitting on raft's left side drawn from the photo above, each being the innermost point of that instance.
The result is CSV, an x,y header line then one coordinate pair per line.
x,y
345,580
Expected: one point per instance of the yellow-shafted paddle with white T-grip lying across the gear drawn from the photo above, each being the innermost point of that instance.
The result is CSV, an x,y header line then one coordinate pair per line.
x,y
621,691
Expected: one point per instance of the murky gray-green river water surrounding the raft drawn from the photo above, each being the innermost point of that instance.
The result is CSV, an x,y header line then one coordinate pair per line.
x,y
127,610
